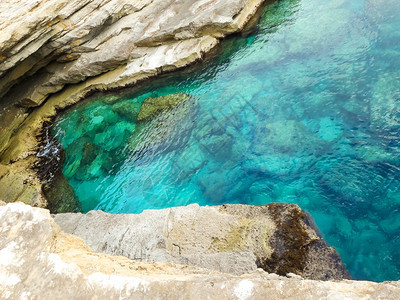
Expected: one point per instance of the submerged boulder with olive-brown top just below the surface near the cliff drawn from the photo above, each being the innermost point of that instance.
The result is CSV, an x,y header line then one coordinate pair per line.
x,y
164,123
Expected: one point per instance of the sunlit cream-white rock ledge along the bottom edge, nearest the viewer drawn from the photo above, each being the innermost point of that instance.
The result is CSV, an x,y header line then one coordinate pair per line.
x,y
39,261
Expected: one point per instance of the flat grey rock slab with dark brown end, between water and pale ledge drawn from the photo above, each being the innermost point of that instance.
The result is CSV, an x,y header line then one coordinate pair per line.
x,y
235,239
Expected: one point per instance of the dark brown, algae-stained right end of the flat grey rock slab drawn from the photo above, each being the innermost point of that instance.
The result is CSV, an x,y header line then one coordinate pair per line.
x,y
298,247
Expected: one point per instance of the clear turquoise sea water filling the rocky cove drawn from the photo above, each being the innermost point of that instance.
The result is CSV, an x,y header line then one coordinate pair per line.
x,y
306,109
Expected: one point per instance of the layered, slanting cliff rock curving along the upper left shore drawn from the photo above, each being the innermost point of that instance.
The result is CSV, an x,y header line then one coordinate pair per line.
x,y
55,52
